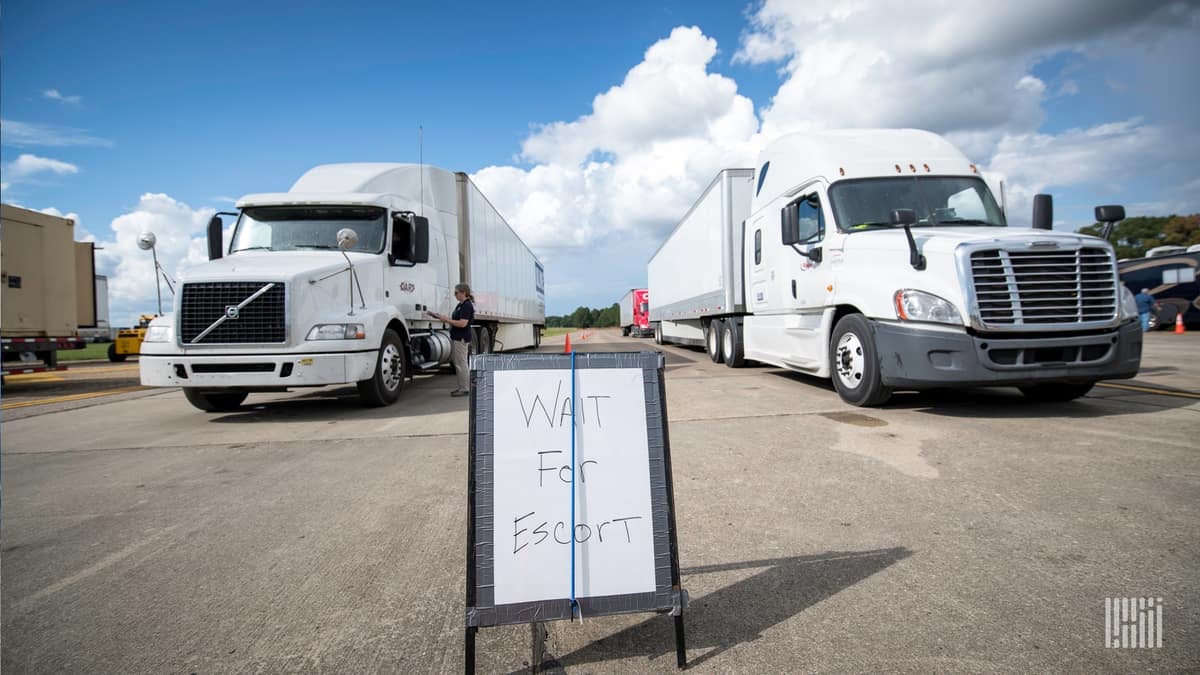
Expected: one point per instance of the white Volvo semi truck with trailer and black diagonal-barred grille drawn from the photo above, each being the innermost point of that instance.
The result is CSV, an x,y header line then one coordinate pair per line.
x,y
331,283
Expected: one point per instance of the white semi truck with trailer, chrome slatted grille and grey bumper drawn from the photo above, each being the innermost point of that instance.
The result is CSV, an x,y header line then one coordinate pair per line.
x,y
880,259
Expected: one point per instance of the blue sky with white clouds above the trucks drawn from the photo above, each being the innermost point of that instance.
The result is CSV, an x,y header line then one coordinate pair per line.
x,y
591,127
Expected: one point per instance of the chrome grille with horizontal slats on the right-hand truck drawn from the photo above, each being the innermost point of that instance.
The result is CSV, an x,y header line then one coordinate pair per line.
x,y
1045,288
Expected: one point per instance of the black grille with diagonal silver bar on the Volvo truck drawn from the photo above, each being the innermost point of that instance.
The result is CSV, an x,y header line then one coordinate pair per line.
x,y
263,320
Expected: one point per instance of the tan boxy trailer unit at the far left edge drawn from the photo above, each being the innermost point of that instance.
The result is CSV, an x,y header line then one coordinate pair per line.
x,y
47,290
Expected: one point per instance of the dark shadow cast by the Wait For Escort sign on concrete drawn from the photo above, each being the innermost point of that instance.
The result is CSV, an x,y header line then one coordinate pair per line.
x,y
742,612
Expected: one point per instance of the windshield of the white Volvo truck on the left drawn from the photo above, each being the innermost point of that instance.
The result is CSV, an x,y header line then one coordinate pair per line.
x,y
290,229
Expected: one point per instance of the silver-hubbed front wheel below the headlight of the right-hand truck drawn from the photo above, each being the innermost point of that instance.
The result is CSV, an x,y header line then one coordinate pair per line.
x,y
856,365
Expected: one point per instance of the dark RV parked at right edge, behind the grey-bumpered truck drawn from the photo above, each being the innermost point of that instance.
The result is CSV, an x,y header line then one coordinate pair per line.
x,y
1172,279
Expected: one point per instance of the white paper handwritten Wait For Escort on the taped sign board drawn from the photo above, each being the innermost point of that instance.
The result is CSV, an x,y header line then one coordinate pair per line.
x,y
614,531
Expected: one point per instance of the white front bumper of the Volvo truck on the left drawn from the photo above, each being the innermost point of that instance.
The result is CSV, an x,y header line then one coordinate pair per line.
x,y
257,372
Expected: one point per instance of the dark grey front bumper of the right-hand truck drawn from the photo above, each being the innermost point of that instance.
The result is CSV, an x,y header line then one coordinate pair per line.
x,y
913,357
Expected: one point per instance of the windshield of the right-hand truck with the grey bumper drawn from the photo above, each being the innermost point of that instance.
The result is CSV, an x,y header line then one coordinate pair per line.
x,y
939,201
